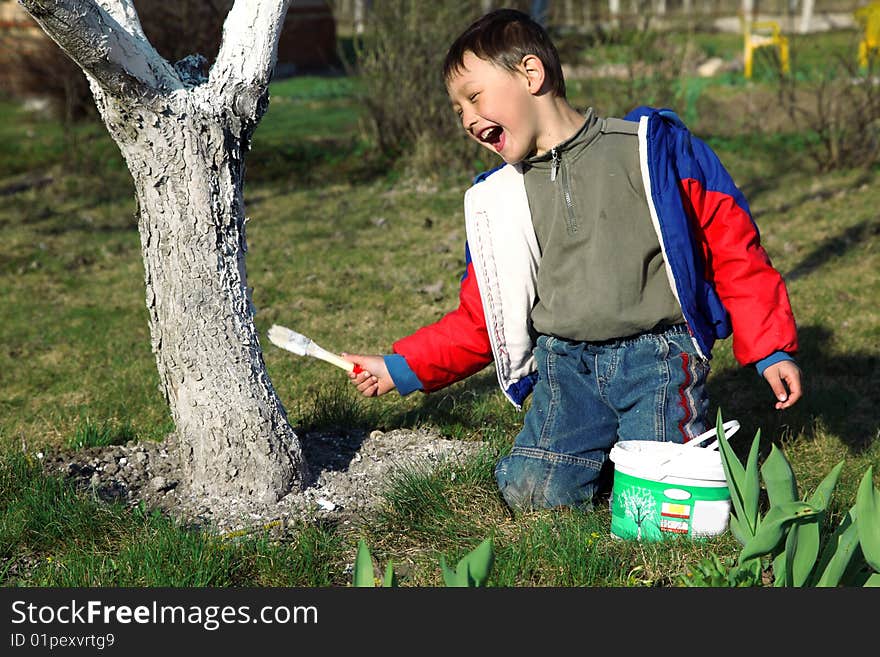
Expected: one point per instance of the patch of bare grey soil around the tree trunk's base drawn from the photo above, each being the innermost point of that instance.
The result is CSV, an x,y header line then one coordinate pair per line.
x,y
349,472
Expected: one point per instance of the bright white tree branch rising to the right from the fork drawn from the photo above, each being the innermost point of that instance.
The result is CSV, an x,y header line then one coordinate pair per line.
x,y
247,54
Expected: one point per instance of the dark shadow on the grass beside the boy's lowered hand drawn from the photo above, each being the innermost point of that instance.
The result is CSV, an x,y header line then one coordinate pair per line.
x,y
842,395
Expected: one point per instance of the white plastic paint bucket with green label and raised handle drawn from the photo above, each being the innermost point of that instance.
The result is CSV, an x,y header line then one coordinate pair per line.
x,y
668,489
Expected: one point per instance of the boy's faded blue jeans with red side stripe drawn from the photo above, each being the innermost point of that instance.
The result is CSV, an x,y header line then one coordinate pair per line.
x,y
588,396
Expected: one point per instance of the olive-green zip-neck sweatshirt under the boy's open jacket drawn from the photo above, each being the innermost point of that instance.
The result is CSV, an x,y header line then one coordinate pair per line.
x,y
601,274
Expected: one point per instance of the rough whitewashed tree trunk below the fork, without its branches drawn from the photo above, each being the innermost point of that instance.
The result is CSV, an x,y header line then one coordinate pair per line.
x,y
231,428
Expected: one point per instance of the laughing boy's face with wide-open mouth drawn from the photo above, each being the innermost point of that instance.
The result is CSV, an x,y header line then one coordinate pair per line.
x,y
496,107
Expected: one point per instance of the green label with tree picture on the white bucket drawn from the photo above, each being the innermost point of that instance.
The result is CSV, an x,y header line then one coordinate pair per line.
x,y
649,510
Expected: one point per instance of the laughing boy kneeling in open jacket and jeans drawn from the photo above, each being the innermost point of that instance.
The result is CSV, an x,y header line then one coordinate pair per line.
x,y
604,258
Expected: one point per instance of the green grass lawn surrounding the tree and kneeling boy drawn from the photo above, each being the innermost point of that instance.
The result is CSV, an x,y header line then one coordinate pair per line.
x,y
345,249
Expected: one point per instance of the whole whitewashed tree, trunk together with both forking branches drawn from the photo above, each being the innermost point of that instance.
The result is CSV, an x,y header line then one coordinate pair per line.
x,y
184,137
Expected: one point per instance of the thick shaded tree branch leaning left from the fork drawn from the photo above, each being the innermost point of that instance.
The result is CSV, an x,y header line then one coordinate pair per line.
x,y
115,54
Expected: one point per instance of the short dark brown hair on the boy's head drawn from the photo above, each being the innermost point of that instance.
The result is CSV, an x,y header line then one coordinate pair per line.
x,y
503,37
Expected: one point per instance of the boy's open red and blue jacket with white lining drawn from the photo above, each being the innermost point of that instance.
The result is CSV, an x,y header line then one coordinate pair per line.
x,y
718,270
